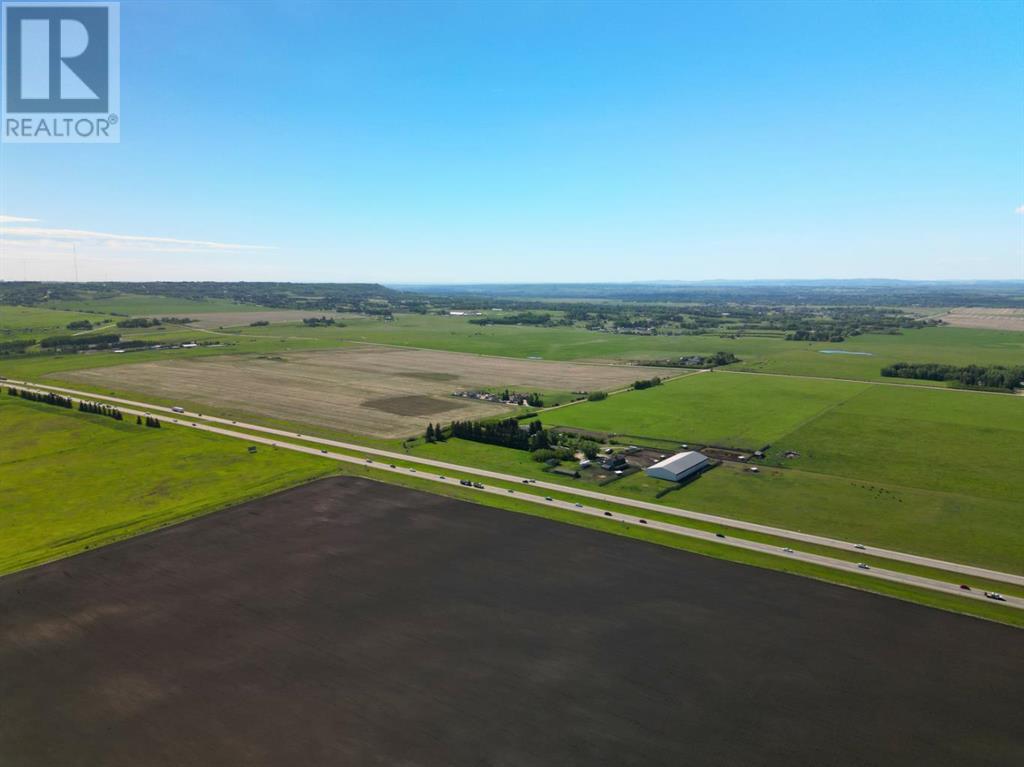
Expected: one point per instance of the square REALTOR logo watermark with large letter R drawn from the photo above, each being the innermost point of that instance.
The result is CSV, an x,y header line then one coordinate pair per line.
x,y
62,73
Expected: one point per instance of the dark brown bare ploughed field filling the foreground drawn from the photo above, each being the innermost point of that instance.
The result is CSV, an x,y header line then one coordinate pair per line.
x,y
351,623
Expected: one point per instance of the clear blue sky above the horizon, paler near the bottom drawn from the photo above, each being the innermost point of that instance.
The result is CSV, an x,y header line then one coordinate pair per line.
x,y
425,142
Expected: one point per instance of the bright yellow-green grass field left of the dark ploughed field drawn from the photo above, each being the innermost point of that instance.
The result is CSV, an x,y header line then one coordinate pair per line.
x,y
71,482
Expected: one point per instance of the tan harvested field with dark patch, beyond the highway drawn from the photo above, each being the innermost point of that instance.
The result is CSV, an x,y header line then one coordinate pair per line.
x,y
376,391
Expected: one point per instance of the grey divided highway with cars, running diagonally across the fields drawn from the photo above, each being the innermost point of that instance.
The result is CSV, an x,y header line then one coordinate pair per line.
x,y
216,425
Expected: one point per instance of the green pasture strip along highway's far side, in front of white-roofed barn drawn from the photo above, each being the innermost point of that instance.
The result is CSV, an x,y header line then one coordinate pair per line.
x,y
948,526
